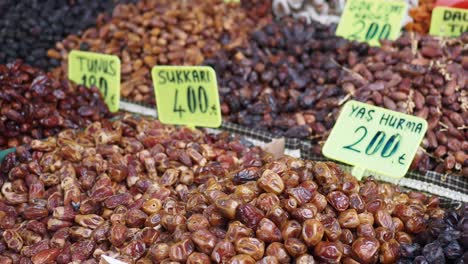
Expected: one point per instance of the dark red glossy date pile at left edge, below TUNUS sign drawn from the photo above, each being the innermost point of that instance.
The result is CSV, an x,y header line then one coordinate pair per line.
x,y
34,105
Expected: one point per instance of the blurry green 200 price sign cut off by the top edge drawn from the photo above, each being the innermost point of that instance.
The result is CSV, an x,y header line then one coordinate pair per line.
x,y
371,20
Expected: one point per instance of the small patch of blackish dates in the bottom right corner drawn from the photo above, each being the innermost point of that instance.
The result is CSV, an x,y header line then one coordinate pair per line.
x,y
445,241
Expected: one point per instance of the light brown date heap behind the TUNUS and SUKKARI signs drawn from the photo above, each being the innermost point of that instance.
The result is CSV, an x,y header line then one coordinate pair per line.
x,y
155,32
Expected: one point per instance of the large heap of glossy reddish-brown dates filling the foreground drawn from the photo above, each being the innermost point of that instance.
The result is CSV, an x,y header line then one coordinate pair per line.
x,y
137,190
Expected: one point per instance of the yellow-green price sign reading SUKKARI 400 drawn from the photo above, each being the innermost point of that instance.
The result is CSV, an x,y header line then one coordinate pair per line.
x,y
187,95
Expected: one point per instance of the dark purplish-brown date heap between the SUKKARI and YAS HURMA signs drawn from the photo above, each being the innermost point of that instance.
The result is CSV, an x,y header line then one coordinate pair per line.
x,y
284,78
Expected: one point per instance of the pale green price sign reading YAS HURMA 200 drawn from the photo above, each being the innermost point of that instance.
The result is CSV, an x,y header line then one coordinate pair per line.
x,y
375,139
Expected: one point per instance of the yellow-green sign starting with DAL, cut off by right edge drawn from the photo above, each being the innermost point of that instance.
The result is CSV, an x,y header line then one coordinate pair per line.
x,y
448,22
